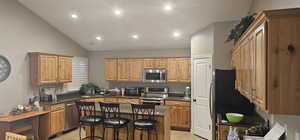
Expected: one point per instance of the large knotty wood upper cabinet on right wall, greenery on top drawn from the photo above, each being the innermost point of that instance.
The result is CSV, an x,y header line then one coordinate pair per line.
x,y
267,65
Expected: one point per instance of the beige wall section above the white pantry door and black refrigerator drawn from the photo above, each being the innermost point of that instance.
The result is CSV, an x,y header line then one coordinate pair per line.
x,y
211,42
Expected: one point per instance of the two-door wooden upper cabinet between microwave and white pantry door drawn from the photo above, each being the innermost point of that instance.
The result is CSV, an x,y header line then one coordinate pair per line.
x,y
179,70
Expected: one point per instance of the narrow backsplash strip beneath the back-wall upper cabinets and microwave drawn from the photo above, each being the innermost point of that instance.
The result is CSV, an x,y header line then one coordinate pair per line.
x,y
173,87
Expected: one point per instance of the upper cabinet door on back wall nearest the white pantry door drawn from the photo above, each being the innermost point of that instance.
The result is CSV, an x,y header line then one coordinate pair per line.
x,y
184,70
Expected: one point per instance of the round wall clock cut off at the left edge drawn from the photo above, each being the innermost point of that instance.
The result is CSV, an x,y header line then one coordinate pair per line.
x,y
5,68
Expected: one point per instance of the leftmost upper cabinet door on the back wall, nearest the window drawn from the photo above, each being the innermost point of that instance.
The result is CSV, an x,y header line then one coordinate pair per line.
x,y
111,68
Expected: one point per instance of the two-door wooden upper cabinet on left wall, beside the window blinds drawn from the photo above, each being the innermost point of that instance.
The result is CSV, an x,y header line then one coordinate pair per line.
x,y
50,68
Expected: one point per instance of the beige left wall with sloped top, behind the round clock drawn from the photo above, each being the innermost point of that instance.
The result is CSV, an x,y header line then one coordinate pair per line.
x,y
22,32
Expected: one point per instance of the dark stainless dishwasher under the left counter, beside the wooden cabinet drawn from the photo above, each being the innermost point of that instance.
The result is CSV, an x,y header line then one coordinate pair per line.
x,y
71,116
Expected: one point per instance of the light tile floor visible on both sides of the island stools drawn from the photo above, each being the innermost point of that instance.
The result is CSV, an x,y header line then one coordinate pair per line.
x,y
175,135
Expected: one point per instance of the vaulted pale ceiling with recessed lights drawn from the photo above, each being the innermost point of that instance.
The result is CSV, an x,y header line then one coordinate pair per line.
x,y
150,20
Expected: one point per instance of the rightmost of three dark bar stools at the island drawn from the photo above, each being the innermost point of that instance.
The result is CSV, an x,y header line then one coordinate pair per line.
x,y
143,119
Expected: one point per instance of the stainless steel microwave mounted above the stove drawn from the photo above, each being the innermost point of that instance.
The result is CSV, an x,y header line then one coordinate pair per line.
x,y
155,75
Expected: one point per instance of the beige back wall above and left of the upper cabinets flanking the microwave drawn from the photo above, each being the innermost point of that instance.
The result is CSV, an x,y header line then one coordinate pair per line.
x,y
97,66
